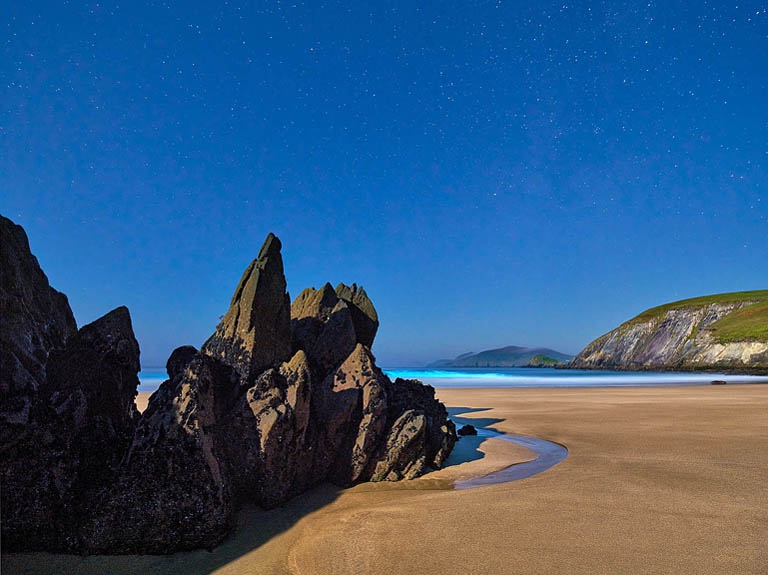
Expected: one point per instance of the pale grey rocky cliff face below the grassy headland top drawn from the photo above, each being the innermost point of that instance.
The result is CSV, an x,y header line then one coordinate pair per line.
x,y
682,336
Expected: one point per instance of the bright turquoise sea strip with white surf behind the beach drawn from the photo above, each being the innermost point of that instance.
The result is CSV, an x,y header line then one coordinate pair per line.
x,y
151,378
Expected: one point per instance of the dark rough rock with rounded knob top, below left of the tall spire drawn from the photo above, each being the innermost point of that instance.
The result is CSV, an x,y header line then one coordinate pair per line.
x,y
175,490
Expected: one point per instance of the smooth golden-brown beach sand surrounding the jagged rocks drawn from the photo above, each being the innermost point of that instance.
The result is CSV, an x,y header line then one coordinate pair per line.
x,y
658,480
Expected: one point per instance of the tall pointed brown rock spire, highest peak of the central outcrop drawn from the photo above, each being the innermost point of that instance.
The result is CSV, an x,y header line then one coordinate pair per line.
x,y
255,333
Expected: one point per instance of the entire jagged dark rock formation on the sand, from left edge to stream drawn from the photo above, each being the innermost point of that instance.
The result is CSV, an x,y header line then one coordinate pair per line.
x,y
279,399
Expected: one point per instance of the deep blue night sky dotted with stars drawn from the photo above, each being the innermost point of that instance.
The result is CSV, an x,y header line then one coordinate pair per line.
x,y
493,172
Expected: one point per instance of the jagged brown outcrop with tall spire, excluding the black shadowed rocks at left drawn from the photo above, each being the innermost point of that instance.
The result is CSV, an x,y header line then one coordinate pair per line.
x,y
236,434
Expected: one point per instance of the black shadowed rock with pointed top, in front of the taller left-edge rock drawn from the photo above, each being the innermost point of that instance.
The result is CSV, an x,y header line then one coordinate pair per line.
x,y
83,423
